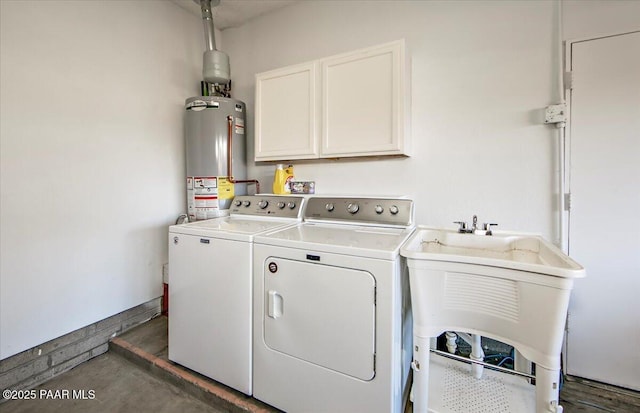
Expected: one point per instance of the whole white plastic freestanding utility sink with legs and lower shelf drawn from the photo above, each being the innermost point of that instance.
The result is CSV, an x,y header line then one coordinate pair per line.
x,y
512,287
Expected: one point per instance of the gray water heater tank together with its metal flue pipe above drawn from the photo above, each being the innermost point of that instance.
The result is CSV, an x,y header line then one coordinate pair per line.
x,y
214,134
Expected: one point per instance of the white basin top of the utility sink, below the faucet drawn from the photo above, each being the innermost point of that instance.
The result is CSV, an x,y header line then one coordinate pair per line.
x,y
516,251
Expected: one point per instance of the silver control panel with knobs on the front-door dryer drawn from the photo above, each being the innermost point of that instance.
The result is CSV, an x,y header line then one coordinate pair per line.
x,y
375,211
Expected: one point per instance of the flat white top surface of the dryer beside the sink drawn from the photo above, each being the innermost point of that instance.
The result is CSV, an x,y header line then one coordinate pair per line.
x,y
361,241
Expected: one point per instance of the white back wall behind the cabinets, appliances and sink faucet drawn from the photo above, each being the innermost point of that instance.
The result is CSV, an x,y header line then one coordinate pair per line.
x,y
482,72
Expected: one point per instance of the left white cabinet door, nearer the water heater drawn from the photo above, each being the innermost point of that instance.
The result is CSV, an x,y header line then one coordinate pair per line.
x,y
286,114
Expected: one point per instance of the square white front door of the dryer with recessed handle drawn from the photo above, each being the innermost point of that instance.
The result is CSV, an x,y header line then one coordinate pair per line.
x,y
321,314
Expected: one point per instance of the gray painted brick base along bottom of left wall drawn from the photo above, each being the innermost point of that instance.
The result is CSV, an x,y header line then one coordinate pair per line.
x,y
34,366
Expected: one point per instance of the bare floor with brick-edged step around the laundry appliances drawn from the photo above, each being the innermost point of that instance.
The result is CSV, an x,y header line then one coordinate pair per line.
x,y
136,376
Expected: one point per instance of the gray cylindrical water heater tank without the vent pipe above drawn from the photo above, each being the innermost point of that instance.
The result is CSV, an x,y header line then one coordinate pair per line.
x,y
215,149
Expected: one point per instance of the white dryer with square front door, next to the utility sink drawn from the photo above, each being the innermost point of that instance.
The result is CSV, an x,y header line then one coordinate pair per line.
x,y
332,318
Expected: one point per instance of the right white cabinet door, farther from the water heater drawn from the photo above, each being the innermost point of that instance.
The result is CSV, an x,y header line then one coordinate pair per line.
x,y
363,102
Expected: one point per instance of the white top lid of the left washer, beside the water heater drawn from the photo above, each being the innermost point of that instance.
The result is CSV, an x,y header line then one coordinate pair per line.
x,y
232,227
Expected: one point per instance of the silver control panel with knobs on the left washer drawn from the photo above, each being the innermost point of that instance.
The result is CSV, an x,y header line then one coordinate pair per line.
x,y
268,205
